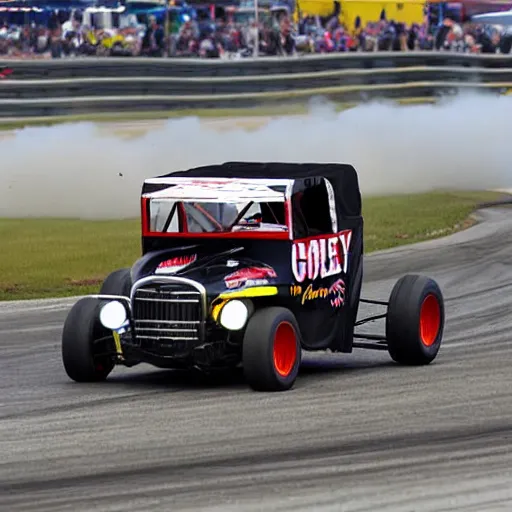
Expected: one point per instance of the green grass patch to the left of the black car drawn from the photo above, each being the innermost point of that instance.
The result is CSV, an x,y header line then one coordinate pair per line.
x,y
54,257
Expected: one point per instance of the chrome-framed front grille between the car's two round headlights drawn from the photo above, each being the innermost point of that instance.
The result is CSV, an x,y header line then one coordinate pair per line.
x,y
167,317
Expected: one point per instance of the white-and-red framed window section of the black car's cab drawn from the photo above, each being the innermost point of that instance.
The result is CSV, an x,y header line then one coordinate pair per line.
x,y
284,209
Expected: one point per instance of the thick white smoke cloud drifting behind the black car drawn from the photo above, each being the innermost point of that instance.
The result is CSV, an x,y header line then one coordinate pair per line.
x,y
74,170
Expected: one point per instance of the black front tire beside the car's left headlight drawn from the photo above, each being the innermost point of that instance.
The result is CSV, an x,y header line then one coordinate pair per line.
x,y
81,328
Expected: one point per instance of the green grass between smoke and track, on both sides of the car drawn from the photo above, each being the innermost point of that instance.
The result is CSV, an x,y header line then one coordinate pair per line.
x,y
50,258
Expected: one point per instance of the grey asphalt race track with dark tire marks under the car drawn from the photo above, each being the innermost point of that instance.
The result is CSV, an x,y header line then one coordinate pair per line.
x,y
356,433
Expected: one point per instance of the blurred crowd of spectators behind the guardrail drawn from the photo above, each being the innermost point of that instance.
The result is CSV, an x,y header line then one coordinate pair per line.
x,y
227,39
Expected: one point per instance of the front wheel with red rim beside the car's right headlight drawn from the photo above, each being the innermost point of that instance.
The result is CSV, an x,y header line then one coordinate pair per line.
x,y
260,359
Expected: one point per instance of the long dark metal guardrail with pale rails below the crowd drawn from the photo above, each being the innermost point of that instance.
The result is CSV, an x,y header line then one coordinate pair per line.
x,y
90,85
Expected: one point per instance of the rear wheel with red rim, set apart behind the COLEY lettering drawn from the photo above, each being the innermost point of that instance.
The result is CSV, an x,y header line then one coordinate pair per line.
x,y
415,320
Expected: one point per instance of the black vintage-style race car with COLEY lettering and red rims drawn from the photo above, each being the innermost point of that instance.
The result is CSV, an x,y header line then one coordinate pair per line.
x,y
247,264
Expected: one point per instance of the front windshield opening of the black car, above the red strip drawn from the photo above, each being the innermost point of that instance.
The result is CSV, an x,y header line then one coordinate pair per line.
x,y
170,216
